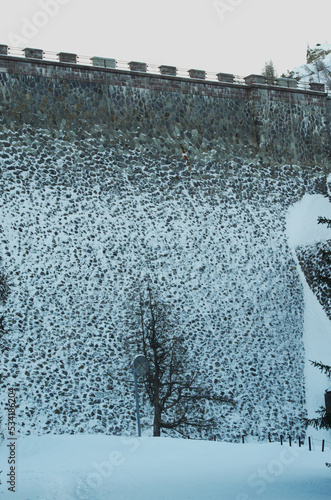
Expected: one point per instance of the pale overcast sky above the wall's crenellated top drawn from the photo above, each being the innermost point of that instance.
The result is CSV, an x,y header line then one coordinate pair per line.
x,y
234,36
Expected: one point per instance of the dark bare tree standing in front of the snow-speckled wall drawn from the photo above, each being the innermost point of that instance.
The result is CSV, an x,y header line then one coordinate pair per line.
x,y
172,385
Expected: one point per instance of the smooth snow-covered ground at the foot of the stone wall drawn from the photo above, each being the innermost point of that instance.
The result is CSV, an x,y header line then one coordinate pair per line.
x,y
104,467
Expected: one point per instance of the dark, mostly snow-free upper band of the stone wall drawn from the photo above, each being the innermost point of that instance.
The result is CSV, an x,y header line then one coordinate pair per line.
x,y
281,125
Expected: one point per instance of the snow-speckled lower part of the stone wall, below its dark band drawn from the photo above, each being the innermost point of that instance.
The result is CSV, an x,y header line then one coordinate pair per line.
x,y
74,245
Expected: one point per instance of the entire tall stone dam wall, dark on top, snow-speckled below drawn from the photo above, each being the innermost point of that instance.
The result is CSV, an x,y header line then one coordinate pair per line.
x,y
111,177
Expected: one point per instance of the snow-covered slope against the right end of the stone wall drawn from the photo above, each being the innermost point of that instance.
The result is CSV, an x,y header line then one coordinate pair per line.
x,y
307,239
